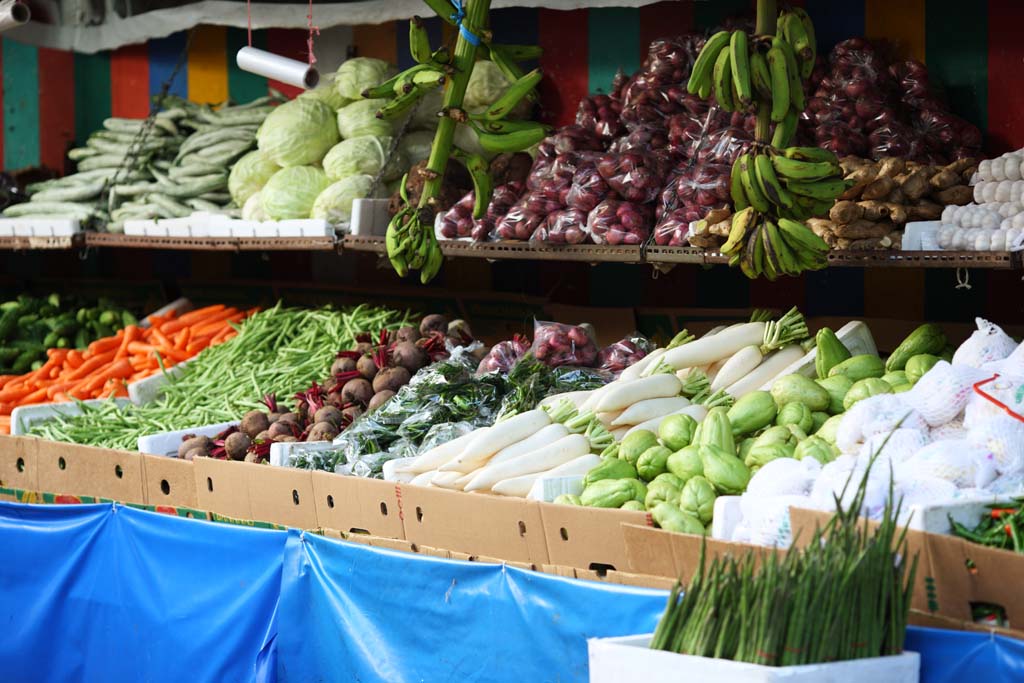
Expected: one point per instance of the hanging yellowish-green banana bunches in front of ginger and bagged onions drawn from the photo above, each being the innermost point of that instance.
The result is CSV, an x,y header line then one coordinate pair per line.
x,y
775,187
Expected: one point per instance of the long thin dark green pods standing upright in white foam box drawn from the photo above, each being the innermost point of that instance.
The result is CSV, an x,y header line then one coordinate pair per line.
x,y
845,596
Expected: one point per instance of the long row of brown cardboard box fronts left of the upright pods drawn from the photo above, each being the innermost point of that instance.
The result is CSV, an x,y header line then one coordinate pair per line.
x,y
513,530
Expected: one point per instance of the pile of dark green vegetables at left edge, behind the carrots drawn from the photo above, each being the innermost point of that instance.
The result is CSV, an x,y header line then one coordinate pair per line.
x,y
30,326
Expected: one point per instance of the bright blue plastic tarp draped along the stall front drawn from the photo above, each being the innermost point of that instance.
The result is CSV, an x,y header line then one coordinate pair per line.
x,y
110,593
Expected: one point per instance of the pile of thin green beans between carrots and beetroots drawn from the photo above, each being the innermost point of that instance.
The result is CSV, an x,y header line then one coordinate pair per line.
x,y
280,351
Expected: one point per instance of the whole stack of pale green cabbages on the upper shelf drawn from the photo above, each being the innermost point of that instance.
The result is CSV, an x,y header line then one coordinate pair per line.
x,y
323,151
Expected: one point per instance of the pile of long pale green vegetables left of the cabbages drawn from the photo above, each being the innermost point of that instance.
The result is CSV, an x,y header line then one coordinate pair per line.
x,y
182,166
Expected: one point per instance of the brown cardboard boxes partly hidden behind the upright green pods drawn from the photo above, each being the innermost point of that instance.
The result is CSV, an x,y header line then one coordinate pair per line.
x,y
953,574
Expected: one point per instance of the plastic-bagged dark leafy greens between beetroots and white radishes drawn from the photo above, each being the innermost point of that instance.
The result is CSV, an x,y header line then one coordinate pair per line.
x,y
442,403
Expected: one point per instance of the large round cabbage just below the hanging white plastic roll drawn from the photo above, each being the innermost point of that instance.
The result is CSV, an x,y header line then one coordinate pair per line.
x,y
298,133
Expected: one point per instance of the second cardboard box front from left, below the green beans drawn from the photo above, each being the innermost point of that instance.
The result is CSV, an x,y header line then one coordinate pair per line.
x,y
69,468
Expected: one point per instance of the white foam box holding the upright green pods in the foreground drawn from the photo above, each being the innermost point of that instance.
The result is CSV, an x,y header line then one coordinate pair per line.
x,y
630,659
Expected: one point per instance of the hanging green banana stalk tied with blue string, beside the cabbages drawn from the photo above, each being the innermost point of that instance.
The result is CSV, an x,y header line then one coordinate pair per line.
x,y
411,242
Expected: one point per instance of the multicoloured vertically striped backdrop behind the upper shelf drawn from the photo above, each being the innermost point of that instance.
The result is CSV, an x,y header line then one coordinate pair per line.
x,y
52,99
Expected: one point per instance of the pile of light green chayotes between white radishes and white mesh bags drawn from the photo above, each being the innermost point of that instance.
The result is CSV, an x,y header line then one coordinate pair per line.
x,y
677,474
